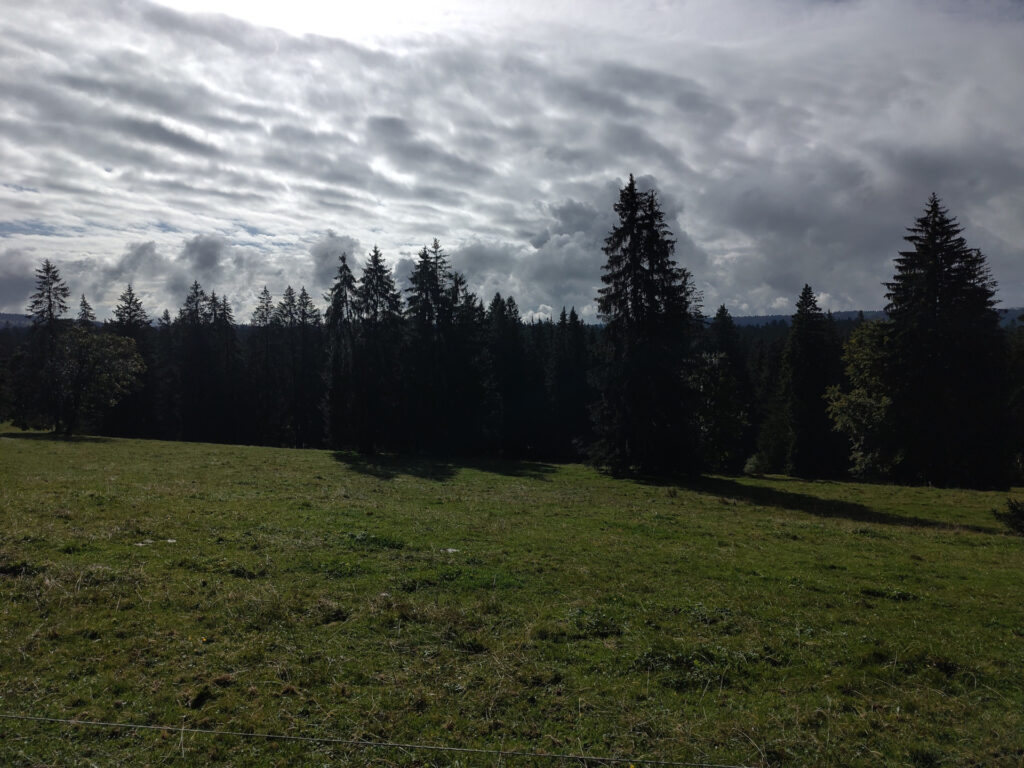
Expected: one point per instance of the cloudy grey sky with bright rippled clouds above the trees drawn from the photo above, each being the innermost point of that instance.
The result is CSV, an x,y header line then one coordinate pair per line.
x,y
245,145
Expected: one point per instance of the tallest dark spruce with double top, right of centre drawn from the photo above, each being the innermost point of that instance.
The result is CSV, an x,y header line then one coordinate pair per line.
x,y
646,418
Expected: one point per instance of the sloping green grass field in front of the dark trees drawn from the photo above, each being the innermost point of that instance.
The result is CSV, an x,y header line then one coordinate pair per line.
x,y
496,606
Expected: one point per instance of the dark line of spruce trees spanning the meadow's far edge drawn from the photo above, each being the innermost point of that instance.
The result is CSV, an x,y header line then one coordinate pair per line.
x,y
933,394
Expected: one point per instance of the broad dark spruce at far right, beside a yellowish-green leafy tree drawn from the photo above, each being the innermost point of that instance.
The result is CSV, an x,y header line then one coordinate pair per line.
x,y
946,366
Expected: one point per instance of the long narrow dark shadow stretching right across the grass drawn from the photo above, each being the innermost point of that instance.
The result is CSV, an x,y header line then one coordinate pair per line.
x,y
818,506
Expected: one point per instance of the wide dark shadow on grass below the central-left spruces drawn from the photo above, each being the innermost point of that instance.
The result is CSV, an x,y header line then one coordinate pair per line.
x,y
389,466
